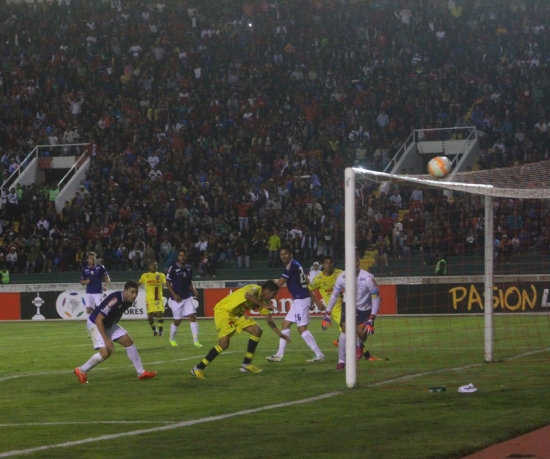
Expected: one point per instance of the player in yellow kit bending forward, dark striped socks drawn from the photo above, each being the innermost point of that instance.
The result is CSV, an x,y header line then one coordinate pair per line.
x,y
230,318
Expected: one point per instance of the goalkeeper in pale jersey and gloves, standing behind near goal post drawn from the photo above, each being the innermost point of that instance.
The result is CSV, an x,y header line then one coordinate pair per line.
x,y
367,306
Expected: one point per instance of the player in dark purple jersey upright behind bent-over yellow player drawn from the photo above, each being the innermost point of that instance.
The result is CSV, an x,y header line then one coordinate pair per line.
x,y
296,281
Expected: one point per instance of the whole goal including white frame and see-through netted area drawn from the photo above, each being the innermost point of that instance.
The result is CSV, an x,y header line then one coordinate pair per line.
x,y
461,264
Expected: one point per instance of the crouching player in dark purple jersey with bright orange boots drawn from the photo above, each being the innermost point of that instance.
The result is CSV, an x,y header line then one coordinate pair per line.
x,y
104,329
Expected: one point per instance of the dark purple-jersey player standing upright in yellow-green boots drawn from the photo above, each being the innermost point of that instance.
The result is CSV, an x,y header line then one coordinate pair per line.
x,y
180,285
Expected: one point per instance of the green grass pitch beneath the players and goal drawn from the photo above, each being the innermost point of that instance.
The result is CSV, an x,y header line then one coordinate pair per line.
x,y
389,414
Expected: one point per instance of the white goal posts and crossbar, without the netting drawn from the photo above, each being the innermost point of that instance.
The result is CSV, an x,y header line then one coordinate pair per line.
x,y
350,293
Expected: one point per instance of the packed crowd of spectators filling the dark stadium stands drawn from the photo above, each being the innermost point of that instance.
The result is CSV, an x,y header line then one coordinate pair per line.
x,y
224,129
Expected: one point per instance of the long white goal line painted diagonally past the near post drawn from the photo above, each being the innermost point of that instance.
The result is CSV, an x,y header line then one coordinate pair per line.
x,y
221,417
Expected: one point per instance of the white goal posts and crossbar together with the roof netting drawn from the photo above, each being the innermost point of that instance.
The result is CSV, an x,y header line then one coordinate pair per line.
x,y
526,182
